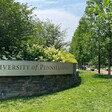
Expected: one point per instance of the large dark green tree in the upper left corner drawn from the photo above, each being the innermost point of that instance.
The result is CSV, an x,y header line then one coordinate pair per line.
x,y
16,24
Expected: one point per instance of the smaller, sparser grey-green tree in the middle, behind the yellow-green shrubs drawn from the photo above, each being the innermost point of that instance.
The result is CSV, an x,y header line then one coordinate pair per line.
x,y
50,34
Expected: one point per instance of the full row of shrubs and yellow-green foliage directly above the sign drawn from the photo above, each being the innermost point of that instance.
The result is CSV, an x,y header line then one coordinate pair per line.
x,y
37,52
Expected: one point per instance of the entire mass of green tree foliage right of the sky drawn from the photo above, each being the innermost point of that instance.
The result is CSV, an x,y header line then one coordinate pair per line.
x,y
93,37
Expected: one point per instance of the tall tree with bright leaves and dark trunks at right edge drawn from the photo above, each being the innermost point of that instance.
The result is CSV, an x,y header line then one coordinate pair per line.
x,y
99,11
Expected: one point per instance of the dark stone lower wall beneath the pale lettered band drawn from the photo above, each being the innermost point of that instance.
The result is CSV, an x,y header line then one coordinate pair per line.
x,y
14,86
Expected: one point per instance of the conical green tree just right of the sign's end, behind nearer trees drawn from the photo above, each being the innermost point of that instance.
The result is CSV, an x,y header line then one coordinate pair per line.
x,y
80,45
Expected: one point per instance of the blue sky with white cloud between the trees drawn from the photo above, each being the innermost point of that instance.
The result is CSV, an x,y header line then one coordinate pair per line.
x,y
65,13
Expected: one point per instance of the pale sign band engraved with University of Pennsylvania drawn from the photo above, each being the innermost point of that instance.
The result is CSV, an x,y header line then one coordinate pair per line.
x,y
29,68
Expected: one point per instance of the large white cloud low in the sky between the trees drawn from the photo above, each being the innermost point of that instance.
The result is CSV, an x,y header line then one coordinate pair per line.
x,y
59,16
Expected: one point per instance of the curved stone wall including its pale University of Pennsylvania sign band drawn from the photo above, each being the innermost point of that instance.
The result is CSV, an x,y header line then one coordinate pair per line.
x,y
26,78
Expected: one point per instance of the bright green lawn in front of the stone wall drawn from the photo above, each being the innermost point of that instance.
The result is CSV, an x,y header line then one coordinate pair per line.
x,y
94,94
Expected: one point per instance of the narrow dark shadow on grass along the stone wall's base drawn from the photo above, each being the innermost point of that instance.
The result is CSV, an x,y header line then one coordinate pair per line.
x,y
25,98
